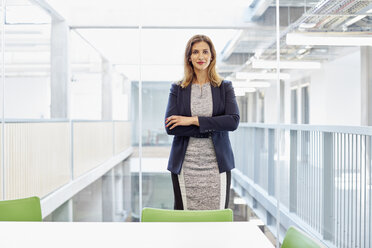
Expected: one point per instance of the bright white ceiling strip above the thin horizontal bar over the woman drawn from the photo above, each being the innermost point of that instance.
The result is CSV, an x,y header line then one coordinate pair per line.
x,y
151,13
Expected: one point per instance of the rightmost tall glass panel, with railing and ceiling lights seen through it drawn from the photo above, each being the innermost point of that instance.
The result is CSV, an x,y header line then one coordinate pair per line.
x,y
325,51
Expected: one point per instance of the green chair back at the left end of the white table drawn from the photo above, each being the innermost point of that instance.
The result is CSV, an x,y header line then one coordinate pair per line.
x,y
27,209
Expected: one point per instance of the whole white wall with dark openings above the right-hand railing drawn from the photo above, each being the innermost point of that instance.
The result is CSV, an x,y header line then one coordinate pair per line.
x,y
334,92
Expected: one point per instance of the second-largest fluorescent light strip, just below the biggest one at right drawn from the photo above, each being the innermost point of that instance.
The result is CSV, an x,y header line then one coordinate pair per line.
x,y
286,64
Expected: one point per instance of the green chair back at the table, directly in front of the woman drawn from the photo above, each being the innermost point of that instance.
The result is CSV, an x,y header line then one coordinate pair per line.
x,y
164,215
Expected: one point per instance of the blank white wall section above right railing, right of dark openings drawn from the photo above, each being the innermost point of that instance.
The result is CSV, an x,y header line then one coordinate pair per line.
x,y
335,92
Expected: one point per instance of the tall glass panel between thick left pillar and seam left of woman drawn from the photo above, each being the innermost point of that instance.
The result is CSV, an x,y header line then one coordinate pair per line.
x,y
101,100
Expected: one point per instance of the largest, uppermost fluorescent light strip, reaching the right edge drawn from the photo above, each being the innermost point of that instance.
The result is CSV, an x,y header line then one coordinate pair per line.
x,y
327,39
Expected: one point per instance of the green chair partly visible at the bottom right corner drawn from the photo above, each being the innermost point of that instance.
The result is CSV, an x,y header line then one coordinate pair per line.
x,y
295,238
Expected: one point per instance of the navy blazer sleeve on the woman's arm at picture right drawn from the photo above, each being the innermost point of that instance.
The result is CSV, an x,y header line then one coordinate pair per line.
x,y
229,121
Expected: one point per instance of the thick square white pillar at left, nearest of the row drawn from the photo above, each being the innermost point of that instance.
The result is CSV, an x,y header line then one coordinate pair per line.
x,y
60,69
